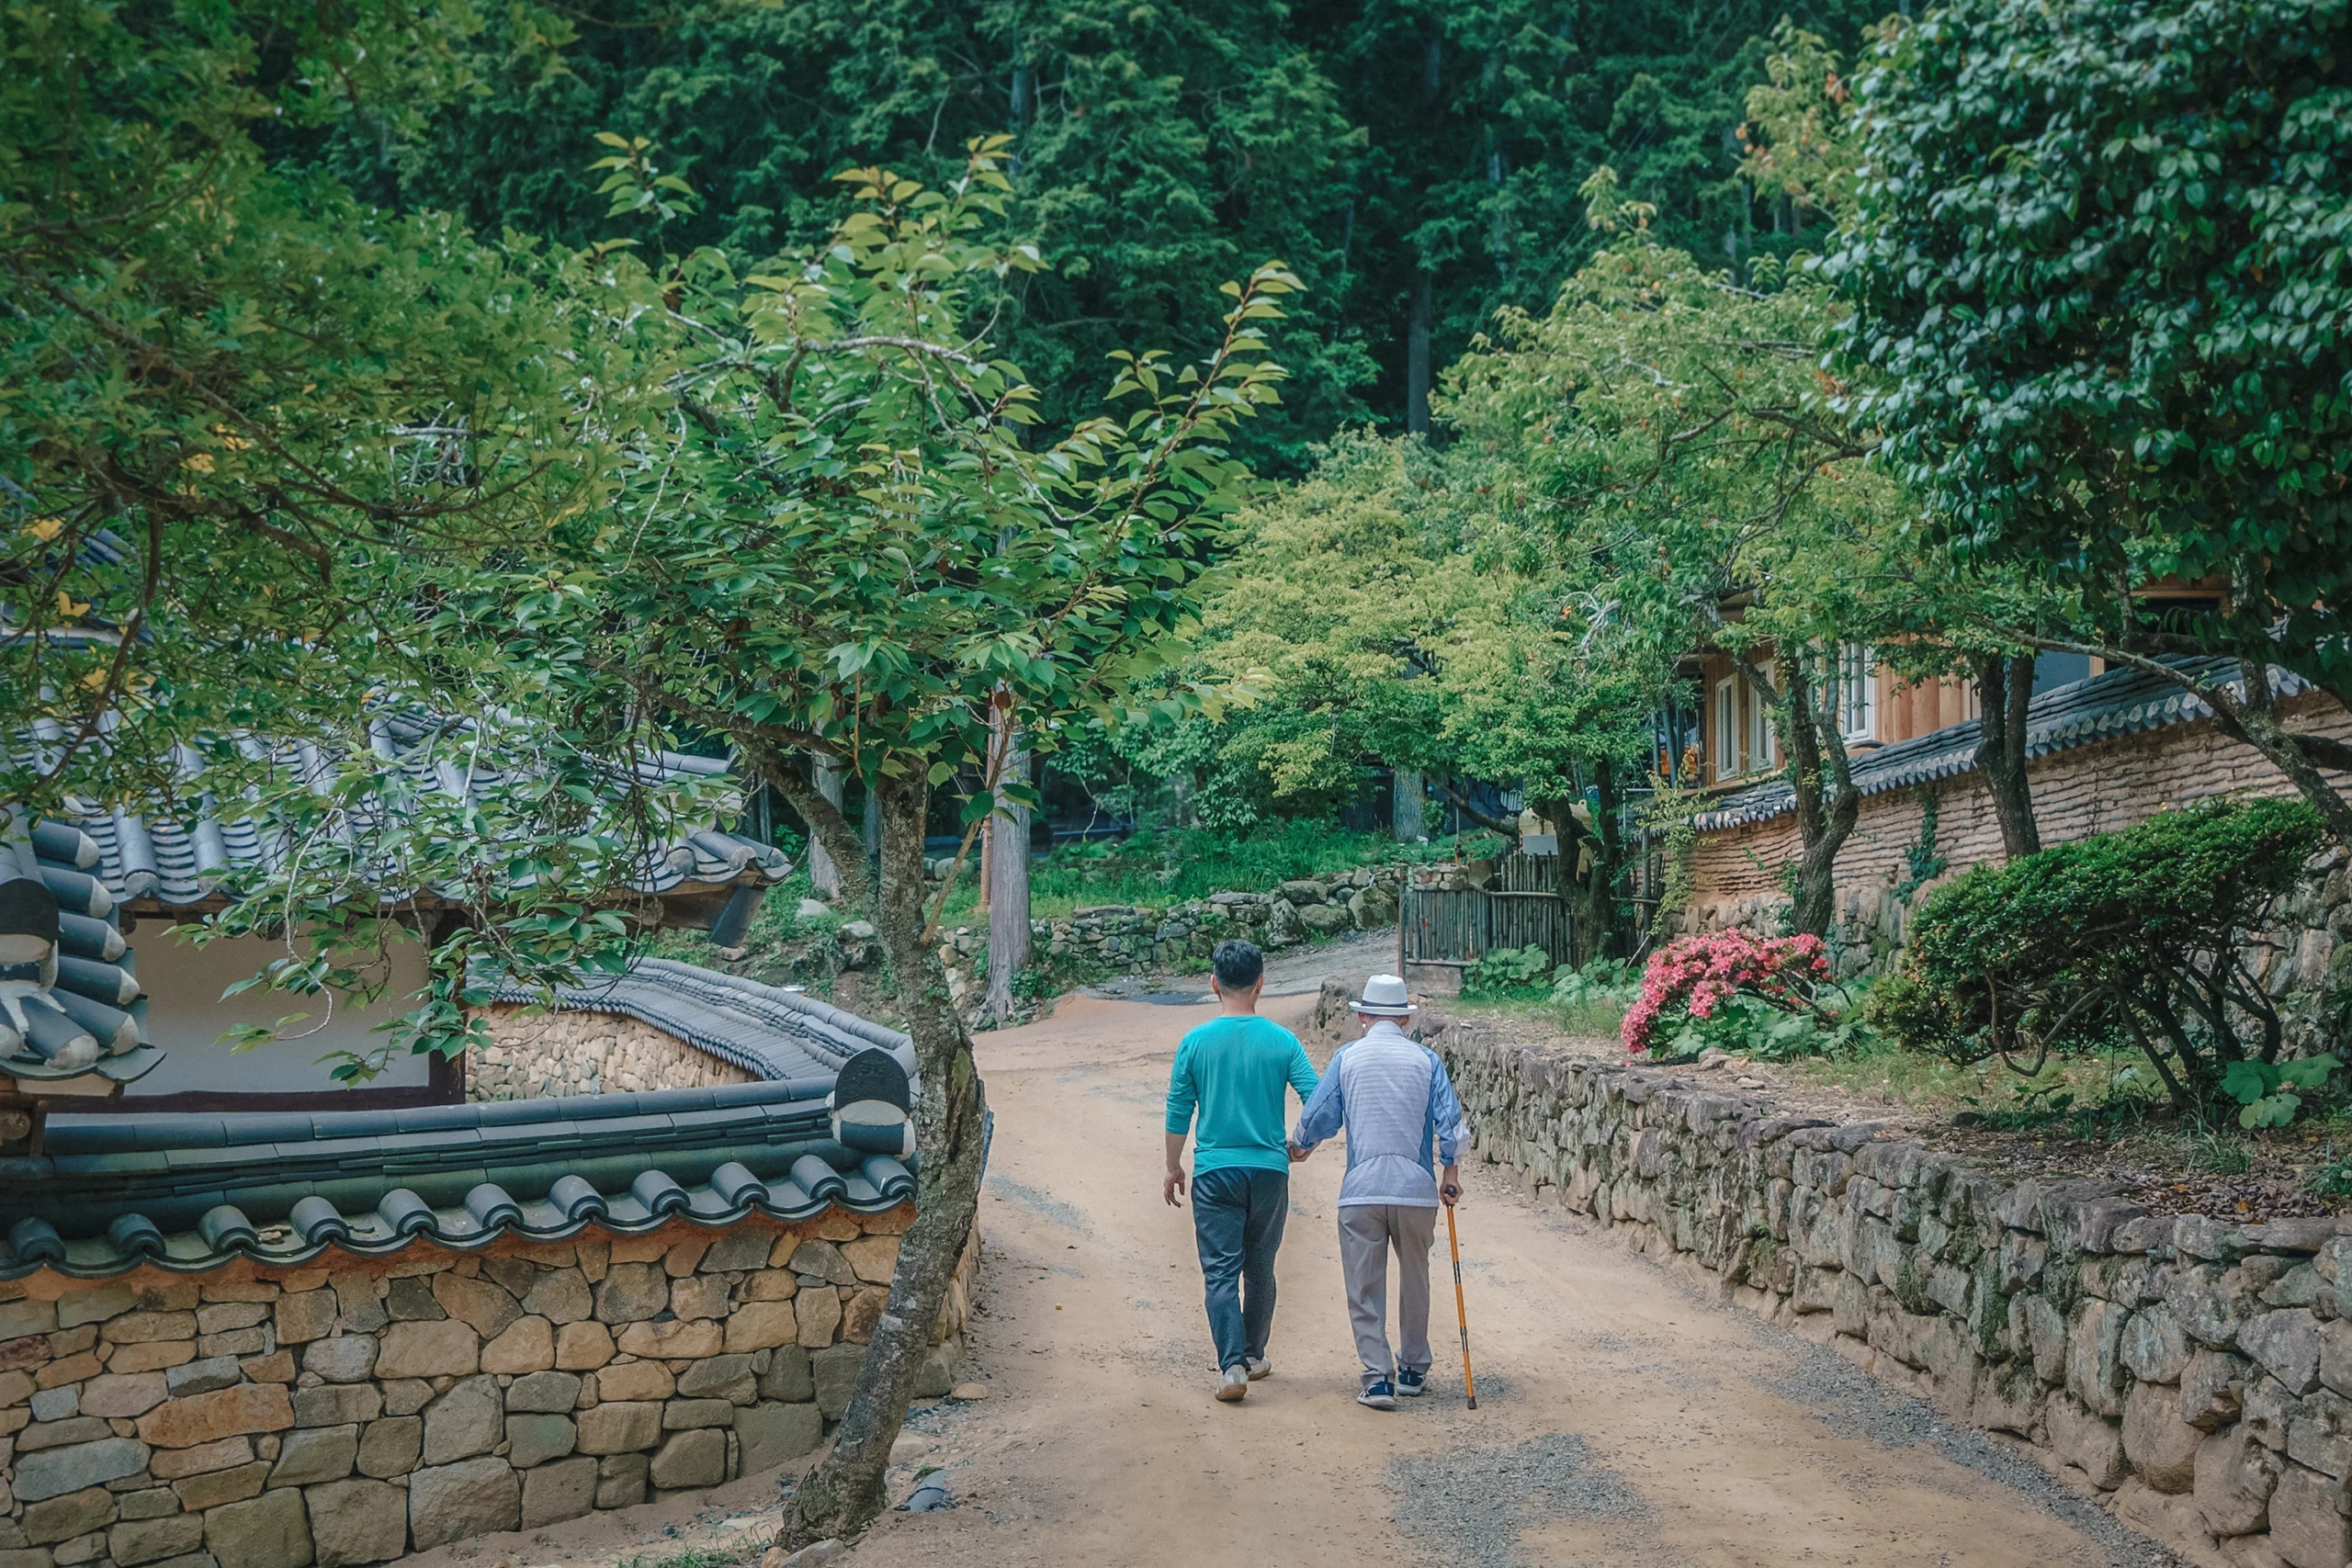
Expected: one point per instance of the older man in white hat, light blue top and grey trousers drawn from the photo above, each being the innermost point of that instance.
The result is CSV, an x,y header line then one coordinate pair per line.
x,y
1396,1099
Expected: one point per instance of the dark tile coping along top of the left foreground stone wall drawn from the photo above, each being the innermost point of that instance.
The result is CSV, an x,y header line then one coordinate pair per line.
x,y
194,1193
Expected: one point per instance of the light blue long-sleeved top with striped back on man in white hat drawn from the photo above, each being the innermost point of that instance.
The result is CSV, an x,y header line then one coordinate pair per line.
x,y
1394,1097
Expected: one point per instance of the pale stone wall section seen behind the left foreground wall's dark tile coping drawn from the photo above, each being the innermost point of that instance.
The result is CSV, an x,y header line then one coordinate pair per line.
x,y
584,1054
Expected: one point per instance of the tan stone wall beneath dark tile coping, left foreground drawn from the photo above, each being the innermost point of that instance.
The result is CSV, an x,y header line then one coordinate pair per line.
x,y
356,1412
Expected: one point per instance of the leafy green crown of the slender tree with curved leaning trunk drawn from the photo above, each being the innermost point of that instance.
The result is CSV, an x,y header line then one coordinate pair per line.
x,y
838,535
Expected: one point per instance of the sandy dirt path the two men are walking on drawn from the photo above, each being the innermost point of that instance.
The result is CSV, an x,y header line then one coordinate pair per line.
x,y
1622,1419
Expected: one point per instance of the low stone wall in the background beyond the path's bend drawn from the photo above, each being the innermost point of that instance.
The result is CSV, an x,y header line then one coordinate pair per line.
x,y
1121,939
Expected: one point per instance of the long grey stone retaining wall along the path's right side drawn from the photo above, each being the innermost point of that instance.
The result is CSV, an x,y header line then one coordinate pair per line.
x,y
2198,1374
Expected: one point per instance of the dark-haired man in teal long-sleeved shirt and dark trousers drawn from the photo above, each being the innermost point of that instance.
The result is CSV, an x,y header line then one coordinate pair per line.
x,y
1234,1071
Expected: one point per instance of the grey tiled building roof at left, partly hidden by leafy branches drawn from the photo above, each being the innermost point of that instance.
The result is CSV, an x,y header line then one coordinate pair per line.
x,y
175,857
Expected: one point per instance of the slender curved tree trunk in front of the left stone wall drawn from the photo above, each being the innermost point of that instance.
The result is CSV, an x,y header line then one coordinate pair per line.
x,y
843,1494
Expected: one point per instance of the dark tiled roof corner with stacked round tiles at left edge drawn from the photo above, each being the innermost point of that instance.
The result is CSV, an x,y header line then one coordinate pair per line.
x,y
72,1021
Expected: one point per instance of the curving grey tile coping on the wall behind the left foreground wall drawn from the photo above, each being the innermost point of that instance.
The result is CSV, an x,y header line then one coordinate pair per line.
x,y
761,1028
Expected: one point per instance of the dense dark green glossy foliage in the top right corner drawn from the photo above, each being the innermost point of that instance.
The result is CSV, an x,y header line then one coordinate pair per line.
x,y
2097,274
